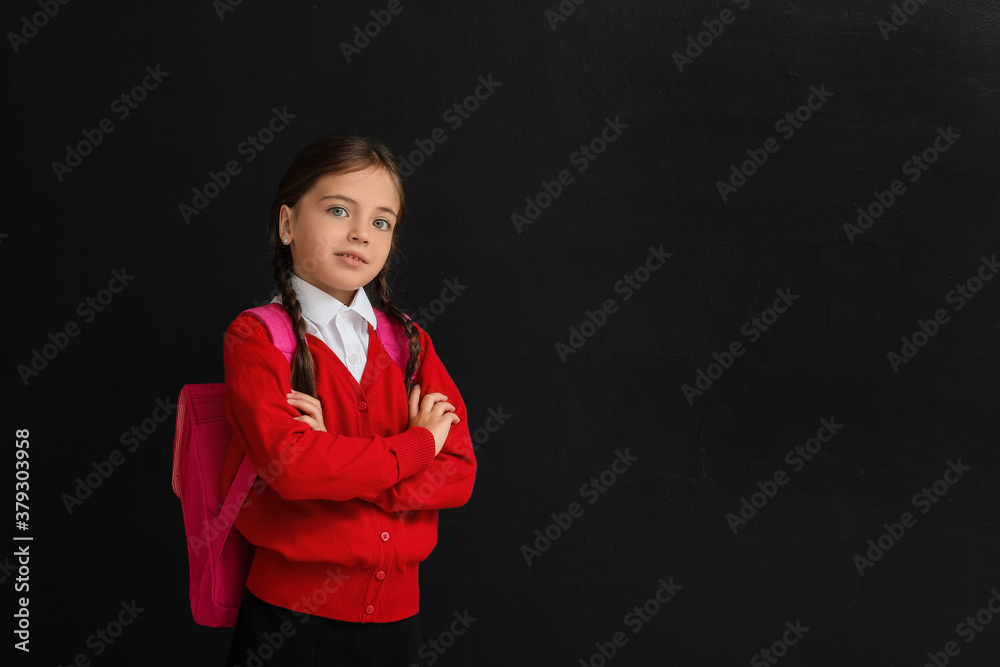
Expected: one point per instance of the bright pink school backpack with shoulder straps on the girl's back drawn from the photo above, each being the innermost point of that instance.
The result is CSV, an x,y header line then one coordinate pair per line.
x,y
218,555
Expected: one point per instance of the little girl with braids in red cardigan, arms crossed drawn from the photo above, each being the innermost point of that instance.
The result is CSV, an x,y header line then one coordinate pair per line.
x,y
365,460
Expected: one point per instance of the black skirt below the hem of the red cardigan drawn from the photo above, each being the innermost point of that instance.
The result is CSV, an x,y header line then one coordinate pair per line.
x,y
270,636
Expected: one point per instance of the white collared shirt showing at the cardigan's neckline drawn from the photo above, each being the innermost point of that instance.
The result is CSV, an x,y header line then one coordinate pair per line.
x,y
344,329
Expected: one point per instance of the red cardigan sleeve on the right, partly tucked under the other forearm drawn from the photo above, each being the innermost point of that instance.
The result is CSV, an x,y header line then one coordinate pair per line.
x,y
449,479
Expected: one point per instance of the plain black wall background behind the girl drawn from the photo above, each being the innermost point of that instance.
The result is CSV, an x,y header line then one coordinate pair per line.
x,y
655,185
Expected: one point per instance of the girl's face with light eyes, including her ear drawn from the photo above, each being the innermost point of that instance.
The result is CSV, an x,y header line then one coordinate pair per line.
x,y
341,216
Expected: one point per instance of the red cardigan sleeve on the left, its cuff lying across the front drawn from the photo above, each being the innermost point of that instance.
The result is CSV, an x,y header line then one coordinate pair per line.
x,y
296,461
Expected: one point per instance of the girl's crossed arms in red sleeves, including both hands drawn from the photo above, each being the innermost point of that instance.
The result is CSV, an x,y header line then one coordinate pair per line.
x,y
397,473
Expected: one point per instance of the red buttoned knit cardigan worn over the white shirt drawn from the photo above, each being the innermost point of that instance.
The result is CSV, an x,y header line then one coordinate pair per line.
x,y
342,518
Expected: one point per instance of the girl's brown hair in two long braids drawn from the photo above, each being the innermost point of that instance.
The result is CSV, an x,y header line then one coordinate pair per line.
x,y
334,155
